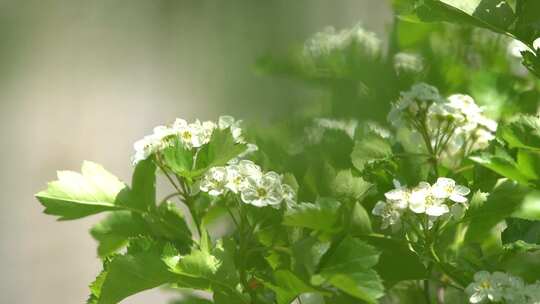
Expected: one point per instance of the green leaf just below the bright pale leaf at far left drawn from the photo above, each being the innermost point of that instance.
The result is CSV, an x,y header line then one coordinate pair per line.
x,y
113,232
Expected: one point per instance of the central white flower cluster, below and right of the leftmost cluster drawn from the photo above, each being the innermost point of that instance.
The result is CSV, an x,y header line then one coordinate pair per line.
x,y
247,180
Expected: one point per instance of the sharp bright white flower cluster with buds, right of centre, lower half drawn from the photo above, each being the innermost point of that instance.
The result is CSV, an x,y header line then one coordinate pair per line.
x,y
443,197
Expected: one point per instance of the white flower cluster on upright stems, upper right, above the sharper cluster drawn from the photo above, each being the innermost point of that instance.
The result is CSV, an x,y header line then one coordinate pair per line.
x,y
453,125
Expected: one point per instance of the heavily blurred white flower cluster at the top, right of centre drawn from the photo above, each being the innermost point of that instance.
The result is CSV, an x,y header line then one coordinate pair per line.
x,y
328,41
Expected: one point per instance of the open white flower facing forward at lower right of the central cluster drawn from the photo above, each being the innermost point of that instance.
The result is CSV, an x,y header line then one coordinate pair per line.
x,y
263,191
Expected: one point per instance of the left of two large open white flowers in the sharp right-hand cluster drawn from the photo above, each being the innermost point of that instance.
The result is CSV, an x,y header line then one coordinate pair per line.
x,y
423,201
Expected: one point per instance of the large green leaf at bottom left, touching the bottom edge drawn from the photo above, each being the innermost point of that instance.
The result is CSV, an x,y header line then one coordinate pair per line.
x,y
133,272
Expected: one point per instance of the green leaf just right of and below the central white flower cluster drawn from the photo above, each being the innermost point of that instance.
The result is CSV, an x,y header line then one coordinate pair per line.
x,y
321,215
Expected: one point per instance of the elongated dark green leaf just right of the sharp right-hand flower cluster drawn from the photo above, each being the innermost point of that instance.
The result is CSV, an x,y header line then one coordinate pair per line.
x,y
504,200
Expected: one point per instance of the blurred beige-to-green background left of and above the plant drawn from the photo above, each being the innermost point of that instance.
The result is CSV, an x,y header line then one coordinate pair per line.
x,y
85,79
